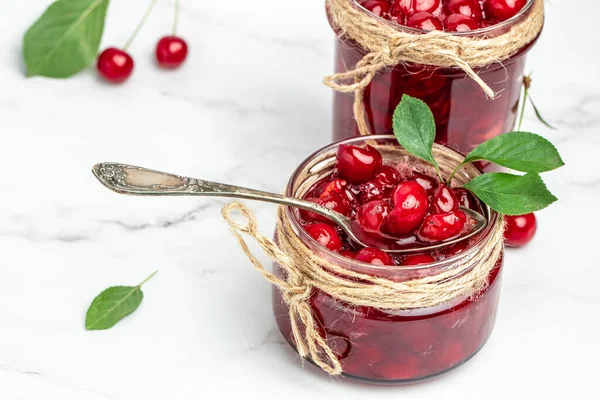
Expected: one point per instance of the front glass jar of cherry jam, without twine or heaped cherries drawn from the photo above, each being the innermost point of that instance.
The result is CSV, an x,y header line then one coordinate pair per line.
x,y
405,346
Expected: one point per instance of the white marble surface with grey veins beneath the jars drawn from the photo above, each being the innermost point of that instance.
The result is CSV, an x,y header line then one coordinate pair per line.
x,y
247,108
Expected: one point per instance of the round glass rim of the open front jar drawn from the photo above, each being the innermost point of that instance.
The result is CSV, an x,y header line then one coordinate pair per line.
x,y
492,216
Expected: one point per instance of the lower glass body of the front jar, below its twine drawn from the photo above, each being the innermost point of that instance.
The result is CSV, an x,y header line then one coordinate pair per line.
x,y
375,346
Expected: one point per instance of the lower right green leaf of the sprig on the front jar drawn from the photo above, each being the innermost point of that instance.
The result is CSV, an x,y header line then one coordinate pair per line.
x,y
511,194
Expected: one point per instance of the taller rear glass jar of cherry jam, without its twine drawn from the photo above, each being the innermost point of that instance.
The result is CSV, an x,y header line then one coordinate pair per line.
x,y
465,117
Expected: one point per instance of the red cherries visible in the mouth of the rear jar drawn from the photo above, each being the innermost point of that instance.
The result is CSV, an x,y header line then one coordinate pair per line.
x,y
447,15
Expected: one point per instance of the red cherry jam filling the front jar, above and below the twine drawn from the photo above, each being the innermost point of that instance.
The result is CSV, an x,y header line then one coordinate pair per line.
x,y
374,345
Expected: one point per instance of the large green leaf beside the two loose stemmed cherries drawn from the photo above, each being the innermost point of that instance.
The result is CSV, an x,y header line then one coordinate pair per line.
x,y
65,39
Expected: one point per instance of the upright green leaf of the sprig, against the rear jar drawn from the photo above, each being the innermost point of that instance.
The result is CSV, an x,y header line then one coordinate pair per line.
x,y
414,127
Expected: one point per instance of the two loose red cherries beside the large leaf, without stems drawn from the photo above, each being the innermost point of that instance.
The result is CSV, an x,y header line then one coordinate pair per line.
x,y
116,65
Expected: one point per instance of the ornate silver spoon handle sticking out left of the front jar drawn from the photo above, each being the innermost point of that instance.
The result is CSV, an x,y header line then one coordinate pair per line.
x,y
138,181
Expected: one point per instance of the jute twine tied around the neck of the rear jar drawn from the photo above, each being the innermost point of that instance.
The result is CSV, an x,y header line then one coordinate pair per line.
x,y
387,46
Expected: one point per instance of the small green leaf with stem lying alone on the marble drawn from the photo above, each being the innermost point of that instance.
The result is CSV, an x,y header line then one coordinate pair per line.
x,y
114,304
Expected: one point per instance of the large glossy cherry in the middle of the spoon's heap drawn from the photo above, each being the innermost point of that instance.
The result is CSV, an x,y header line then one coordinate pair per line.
x,y
410,207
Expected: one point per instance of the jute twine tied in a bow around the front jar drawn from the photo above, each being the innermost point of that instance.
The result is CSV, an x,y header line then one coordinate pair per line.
x,y
306,270
